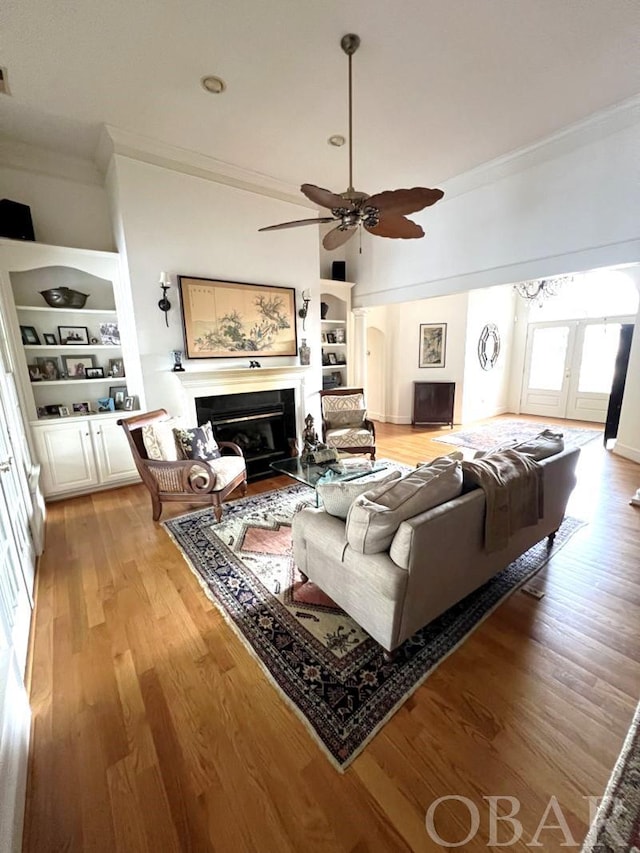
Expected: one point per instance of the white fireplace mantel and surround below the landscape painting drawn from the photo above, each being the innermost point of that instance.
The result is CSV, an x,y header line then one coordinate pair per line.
x,y
231,380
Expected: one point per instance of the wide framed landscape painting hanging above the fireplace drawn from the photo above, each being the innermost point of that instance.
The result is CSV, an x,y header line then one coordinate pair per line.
x,y
227,319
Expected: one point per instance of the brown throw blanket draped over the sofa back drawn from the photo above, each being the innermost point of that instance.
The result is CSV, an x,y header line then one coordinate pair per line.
x,y
513,487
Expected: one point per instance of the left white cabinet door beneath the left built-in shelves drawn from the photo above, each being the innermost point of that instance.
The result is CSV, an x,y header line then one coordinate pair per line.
x,y
66,453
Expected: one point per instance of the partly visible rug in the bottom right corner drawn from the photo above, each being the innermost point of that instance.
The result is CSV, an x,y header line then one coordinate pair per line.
x,y
617,823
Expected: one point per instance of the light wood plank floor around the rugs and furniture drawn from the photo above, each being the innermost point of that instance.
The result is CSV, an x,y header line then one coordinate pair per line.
x,y
154,729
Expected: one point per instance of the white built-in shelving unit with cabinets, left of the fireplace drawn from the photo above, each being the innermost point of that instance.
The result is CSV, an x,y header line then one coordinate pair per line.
x,y
73,417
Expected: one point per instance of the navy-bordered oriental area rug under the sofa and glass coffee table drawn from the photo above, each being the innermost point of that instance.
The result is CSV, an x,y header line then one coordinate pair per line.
x,y
328,669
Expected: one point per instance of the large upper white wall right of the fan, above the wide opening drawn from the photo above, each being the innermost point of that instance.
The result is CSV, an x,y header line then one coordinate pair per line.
x,y
570,204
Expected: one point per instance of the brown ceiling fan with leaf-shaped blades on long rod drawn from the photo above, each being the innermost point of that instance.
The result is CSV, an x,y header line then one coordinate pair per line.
x,y
382,214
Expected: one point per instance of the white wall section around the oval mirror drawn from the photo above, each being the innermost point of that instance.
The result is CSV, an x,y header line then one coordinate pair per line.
x,y
486,392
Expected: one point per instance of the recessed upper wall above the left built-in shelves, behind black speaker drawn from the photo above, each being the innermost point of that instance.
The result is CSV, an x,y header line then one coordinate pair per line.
x,y
69,205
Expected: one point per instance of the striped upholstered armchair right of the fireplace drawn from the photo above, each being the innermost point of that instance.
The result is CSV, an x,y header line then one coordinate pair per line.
x,y
345,425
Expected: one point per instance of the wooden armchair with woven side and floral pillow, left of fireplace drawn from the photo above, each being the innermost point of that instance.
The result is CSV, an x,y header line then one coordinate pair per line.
x,y
185,480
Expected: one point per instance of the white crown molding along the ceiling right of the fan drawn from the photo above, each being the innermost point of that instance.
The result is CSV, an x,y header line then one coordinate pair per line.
x,y
596,126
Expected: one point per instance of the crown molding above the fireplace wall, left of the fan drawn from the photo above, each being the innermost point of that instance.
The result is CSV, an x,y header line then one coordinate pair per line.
x,y
136,147
